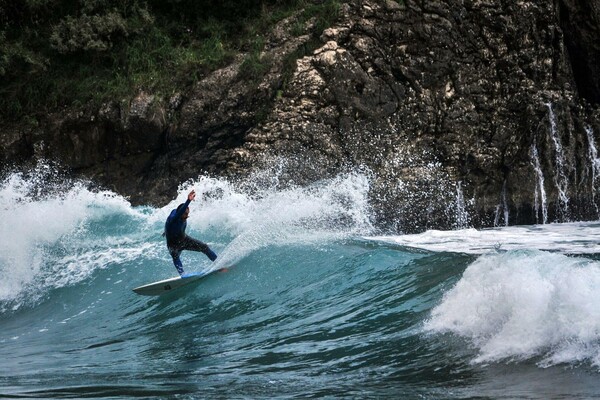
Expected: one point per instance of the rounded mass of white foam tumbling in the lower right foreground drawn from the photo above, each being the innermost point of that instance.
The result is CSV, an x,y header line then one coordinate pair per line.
x,y
525,304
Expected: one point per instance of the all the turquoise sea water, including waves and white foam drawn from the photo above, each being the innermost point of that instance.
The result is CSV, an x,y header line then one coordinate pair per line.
x,y
314,303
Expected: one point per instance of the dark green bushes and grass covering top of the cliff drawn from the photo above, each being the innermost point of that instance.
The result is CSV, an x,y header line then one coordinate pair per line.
x,y
57,53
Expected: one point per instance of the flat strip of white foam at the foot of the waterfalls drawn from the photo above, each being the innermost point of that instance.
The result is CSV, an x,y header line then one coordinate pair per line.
x,y
571,238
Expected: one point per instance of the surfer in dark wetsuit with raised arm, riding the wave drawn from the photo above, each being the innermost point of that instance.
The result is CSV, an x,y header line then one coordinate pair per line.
x,y
177,240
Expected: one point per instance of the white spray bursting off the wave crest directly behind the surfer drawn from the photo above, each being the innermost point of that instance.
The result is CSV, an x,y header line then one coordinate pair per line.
x,y
270,216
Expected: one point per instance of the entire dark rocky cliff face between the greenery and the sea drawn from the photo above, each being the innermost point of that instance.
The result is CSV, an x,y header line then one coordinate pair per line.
x,y
464,112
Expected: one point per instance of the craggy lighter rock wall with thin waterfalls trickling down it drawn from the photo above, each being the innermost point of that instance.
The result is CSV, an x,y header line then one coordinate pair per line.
x,y
451,105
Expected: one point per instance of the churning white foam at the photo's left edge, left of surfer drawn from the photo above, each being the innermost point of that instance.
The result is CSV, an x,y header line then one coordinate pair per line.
x,y
32,222
